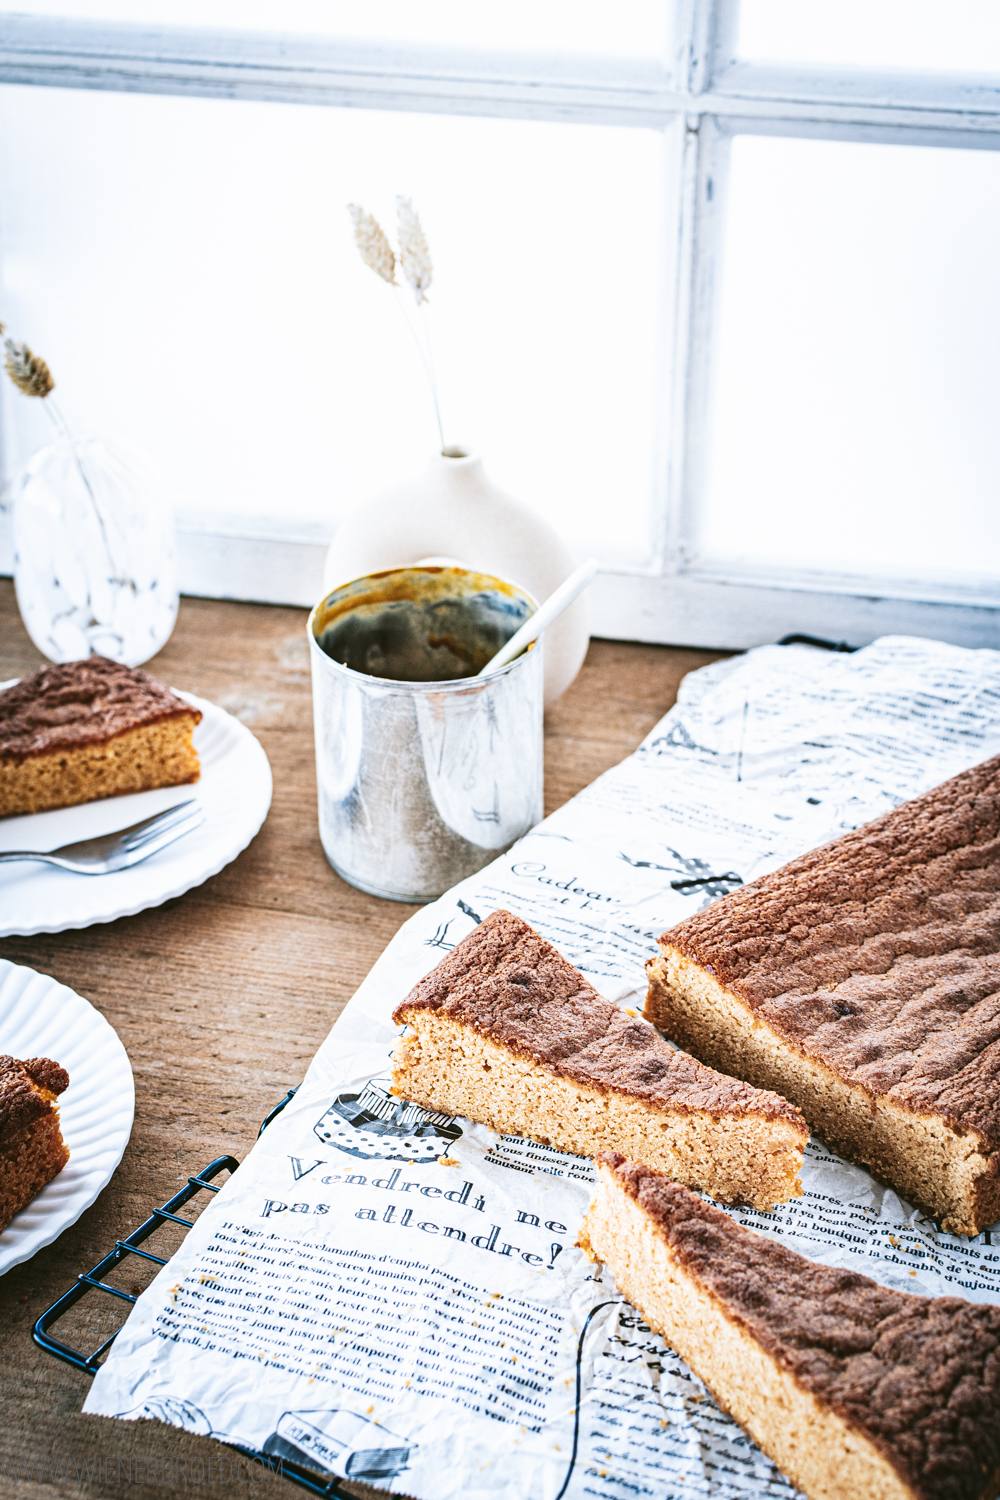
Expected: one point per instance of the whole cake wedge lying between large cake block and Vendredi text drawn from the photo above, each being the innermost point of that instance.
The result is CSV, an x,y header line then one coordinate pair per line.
x,y
504,1031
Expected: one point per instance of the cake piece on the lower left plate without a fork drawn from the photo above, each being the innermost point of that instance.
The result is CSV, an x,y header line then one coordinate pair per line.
x,y
32,1148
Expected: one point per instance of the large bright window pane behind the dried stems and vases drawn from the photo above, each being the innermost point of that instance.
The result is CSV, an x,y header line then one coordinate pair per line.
x,y
188,269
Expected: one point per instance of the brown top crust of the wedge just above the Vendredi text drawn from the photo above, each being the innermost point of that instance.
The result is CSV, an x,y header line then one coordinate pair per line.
x,y
516,989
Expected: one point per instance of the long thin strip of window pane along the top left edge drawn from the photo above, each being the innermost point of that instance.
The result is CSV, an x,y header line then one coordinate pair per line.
x,y
627,29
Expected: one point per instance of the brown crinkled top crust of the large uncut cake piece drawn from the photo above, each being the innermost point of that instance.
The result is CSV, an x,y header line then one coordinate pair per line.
x,y
881,953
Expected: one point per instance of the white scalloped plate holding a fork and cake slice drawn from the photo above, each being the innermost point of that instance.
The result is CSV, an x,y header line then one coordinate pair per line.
x,y
235,793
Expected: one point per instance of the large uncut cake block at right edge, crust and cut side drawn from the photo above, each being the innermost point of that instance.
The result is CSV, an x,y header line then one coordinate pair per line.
x,y
863,982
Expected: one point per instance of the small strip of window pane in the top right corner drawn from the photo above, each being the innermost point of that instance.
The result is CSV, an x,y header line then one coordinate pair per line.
x,y
962,35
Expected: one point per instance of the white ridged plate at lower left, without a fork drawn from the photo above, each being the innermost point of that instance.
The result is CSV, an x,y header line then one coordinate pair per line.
x,y
44,1019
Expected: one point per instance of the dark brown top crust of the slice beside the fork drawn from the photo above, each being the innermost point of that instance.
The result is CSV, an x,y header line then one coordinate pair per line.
x,y
79,704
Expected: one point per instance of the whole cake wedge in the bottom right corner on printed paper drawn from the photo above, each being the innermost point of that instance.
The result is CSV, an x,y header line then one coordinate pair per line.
x,y
852,1390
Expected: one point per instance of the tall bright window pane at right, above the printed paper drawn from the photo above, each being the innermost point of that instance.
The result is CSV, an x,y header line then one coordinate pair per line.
x,y
858,376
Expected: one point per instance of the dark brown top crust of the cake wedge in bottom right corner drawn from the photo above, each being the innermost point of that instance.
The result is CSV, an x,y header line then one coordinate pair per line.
x,y
918,1376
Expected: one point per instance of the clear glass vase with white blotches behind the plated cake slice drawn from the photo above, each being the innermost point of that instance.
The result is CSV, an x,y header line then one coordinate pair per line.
x,y
94,553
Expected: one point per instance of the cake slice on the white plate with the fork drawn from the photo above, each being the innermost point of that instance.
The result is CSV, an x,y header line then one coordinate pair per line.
x,y
88,730
